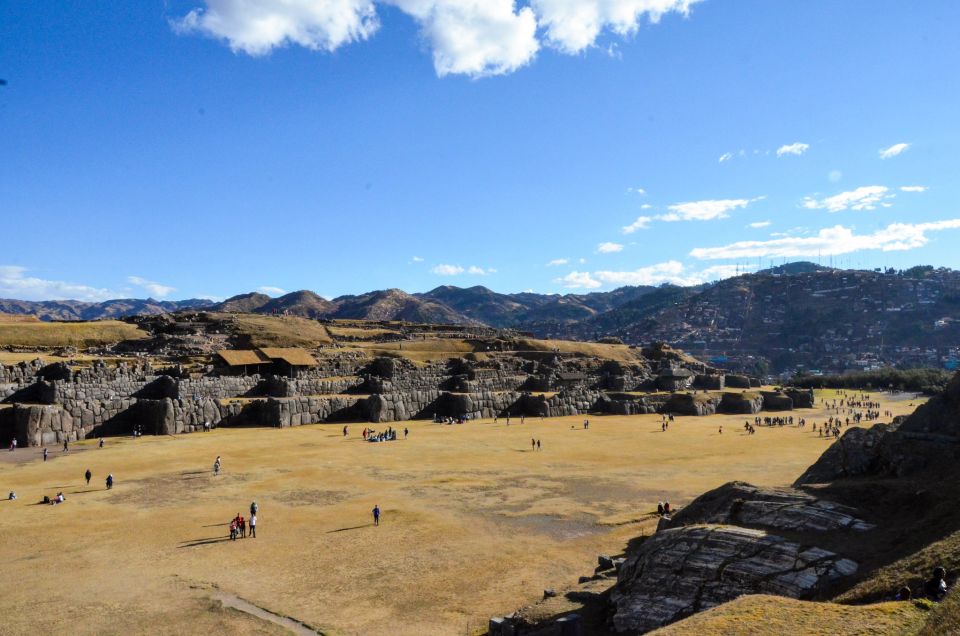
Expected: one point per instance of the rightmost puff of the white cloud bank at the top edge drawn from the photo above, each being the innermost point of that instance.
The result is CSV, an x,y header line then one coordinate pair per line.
x,y
574,25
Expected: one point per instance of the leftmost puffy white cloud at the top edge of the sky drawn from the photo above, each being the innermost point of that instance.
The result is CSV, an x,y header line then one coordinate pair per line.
x,y
257,27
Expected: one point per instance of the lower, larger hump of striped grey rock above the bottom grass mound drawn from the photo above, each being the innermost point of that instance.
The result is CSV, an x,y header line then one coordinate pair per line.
x,y
681,571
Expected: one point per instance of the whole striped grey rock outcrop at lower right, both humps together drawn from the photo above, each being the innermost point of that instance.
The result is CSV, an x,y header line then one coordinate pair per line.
x,y
726,544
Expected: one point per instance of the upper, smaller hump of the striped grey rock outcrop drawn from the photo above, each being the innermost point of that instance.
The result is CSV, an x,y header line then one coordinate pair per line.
x,y
739,503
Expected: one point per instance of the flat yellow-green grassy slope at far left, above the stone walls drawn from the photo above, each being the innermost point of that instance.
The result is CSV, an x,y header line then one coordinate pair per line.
x,y
67,334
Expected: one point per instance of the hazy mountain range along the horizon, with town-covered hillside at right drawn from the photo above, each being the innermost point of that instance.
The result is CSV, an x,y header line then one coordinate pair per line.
x,y
776,319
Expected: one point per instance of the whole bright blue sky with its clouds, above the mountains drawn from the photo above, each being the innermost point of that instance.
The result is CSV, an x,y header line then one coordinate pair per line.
x,y
189,148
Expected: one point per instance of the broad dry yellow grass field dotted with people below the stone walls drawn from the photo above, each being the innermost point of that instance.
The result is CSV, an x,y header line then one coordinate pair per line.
x,y
475,523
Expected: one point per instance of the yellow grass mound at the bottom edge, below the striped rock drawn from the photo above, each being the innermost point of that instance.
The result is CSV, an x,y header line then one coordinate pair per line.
x,y
761,615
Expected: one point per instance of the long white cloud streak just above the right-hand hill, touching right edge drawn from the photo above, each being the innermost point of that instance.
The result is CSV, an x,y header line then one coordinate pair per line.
x,y
831,241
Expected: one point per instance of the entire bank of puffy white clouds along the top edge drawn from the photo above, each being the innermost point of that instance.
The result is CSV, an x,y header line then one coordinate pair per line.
x,y
472,37
